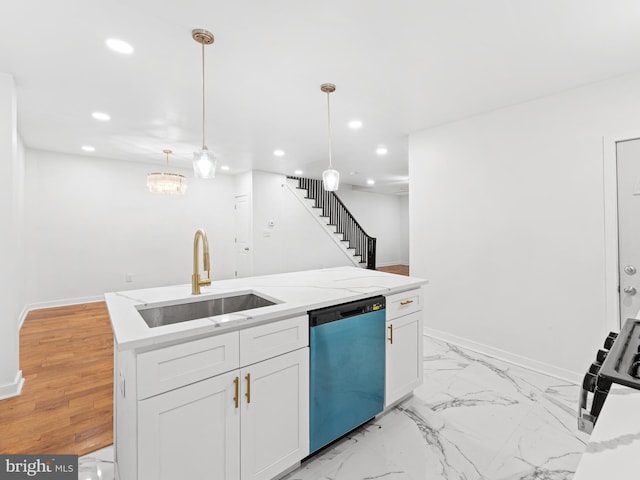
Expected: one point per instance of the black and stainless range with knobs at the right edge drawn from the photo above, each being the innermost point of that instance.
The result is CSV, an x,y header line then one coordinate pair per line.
x,y
618,362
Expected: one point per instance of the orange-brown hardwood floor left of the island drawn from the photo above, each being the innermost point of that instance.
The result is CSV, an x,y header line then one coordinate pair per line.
x,y
66,405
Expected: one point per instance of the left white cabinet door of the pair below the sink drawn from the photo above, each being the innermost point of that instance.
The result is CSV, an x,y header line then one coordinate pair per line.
x,y
191,432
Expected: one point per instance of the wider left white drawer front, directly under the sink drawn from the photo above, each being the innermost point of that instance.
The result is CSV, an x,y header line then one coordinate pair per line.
x,y
178,365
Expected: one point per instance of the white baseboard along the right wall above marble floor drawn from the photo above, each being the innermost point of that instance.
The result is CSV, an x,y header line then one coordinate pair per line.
x,y
569,376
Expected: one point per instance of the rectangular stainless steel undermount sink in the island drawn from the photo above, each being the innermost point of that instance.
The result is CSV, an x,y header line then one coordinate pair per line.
x,y
156,316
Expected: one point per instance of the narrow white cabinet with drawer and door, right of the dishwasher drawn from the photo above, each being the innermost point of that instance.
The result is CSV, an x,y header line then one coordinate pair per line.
x,y
403,355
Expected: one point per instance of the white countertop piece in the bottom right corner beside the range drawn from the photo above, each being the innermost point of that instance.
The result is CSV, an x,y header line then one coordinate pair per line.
x,y
613,451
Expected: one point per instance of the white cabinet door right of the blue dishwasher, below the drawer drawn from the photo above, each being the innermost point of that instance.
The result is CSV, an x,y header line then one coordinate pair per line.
x,y
404,369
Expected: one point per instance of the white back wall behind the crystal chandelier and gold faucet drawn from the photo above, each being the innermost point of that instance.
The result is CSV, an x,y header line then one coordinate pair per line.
x,y
91,221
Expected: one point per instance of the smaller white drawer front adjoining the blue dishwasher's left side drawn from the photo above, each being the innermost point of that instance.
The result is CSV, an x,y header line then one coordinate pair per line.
x,y
273,339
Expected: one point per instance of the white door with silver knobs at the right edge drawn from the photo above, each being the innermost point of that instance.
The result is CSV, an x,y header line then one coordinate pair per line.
x,y
628,182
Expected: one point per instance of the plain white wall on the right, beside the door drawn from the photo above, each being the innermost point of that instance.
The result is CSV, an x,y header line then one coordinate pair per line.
x,y
506,213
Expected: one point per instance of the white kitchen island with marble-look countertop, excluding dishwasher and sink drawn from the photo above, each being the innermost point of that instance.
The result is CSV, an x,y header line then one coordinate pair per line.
x,y
227,396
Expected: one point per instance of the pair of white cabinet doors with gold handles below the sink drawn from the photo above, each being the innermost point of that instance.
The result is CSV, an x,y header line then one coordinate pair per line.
x,y
199,430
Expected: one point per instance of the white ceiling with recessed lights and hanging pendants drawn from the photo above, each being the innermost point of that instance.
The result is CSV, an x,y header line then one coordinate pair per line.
x,y
399,66
